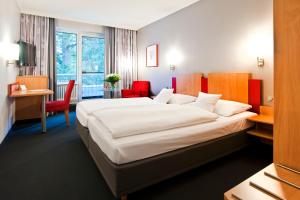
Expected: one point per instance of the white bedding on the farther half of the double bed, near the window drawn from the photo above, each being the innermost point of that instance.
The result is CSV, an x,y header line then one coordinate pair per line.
x,y
85,108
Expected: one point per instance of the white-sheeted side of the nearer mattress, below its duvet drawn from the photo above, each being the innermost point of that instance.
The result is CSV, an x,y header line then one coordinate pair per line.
x,y
138,147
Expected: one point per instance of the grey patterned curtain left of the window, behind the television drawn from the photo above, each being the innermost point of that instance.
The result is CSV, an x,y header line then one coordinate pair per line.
x,y
40,31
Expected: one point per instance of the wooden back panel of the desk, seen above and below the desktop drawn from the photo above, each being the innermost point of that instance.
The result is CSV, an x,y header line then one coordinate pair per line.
x,y
30,107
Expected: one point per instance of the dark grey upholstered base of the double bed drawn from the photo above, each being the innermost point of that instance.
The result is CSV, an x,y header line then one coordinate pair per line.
x,y
130,177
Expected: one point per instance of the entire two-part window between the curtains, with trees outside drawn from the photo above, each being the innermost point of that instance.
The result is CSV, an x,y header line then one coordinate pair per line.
x,y
80,57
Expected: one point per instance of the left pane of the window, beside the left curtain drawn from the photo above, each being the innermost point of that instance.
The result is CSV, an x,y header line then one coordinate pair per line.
x,y
66,57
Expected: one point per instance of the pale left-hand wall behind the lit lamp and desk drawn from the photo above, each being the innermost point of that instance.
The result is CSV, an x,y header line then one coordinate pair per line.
x,y
9,32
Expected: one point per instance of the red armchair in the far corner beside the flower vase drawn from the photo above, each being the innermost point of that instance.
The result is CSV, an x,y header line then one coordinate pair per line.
x,y
139,89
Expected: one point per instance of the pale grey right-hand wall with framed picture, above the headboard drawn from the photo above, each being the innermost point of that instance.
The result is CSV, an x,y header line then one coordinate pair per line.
x,y
212,36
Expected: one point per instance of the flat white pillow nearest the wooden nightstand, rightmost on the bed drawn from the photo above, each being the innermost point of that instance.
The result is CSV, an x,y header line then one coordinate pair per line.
x,y
229,108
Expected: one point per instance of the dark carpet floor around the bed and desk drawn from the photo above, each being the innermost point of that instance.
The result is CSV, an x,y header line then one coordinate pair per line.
x,y
57,166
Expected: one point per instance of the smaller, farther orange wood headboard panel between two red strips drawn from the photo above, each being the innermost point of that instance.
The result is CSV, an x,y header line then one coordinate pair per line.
x,y
189,84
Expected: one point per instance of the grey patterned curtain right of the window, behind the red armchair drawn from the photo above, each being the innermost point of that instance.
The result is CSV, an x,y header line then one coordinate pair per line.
x,y
121,54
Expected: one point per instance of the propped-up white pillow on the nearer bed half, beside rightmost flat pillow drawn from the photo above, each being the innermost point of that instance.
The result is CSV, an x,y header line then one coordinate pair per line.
x,y
207,101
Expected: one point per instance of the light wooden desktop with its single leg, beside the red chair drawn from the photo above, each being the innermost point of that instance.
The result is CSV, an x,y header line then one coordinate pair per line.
x,y
43,93
